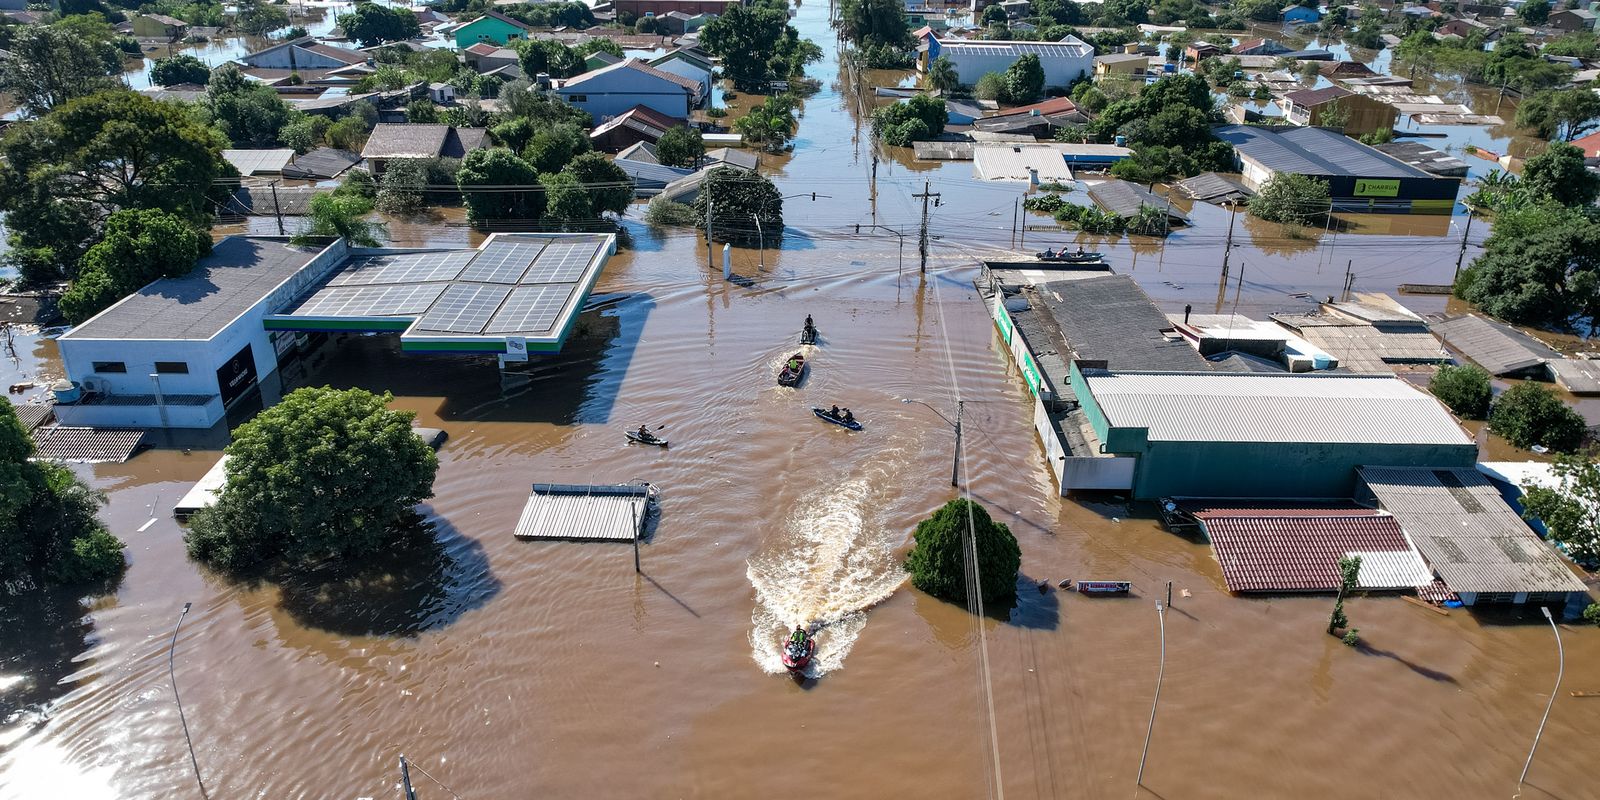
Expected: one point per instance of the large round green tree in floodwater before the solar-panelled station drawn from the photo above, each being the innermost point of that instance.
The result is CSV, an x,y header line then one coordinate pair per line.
x,y
324,476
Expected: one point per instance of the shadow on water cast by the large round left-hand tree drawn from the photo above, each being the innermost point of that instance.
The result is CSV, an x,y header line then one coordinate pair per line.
x,y
426,583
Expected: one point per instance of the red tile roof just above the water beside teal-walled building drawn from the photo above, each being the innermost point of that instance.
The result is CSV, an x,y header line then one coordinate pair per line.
x,y
1297,548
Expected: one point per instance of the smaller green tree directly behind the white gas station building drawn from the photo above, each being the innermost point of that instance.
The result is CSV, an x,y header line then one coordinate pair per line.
x,y
138,247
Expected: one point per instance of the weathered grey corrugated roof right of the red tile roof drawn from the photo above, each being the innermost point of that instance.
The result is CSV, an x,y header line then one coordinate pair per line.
x,y
1466,532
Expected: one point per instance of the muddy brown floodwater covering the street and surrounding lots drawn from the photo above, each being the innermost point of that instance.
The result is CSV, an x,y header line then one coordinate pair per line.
x,y
510,668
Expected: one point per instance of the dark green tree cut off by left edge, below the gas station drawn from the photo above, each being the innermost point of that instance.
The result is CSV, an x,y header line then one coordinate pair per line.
x,y
47,519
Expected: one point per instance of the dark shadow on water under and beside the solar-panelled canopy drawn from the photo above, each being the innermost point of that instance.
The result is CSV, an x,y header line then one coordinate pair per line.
x,y
578,385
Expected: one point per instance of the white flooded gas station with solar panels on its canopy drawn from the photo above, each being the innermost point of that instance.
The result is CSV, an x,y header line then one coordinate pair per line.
x,y
182,351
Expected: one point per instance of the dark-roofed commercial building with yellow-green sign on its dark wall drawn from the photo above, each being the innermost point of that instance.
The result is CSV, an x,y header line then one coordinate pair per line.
x,y
1359,178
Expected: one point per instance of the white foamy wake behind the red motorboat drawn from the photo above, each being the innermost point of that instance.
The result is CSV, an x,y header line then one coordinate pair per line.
x,y
833,566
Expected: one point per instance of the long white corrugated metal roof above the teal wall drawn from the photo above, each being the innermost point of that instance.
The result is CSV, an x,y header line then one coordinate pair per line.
x,y
1286,409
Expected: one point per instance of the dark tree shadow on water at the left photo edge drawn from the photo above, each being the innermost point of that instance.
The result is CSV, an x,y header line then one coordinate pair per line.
x,y
42,638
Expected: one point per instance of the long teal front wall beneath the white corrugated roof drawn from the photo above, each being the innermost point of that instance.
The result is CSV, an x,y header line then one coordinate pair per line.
x,y
1278,470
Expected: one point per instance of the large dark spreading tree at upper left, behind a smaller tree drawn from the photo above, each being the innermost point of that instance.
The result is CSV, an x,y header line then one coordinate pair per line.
x,y
63,175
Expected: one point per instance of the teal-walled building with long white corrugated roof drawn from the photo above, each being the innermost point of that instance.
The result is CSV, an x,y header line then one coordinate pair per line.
x,y
1263,436
